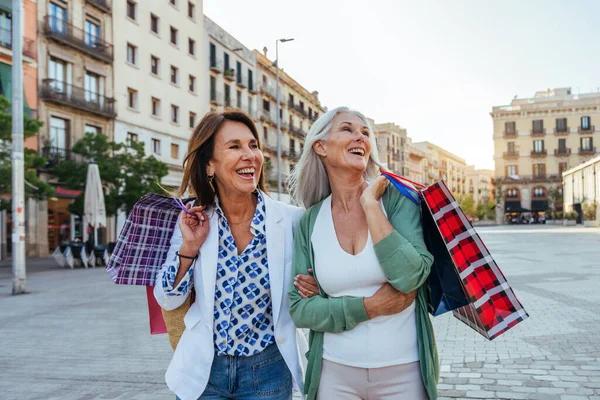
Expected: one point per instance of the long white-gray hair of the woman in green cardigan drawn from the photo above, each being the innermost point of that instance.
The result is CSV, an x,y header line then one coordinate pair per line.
x,y
309,183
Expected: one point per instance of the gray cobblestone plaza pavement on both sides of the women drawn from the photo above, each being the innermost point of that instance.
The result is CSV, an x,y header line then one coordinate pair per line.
x,y
78,336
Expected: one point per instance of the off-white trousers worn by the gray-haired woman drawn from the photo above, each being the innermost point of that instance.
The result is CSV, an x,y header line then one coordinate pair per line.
x,y
398,382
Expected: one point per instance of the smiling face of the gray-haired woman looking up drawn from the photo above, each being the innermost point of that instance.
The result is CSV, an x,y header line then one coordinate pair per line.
x,y
348,146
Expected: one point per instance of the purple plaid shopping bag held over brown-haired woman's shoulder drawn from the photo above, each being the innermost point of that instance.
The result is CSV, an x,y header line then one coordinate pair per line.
x,y
144,241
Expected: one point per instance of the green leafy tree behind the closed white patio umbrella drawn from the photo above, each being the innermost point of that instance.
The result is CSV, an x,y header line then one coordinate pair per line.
x,y
126,173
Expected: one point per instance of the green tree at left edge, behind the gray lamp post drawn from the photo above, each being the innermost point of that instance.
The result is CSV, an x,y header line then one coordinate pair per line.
x,y
35,188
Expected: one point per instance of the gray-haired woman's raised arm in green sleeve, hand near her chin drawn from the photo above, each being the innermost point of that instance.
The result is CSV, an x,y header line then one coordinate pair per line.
x,y
398,238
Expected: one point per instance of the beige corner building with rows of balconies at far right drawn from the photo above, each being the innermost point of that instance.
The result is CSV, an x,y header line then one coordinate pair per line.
x,y
537,139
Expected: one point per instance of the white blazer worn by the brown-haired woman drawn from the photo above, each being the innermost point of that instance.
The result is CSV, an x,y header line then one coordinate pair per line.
x,y
189,370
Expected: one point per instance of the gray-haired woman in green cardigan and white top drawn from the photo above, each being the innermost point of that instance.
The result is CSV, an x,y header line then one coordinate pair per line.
x,y
369,338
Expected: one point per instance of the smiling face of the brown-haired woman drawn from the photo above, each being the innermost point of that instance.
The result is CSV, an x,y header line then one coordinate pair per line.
x,y
237,160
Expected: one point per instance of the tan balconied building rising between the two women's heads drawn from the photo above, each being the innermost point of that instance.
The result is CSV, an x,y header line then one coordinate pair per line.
x,y
298,107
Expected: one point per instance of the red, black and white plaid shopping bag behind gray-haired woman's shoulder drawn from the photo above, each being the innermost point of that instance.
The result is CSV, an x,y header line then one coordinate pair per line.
x,y
492,307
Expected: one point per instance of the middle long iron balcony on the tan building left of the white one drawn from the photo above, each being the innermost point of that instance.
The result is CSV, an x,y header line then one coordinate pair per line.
x,y
77,97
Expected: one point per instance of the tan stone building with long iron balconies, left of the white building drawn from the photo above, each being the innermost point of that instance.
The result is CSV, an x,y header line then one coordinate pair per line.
x,y
75,60
